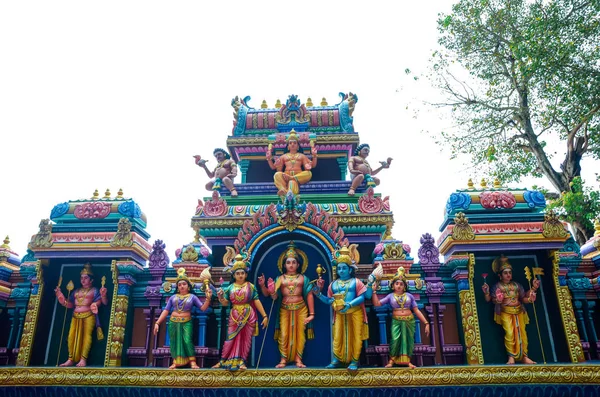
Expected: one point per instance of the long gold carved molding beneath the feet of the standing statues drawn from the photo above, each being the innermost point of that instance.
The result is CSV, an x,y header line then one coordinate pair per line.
x,y
302,378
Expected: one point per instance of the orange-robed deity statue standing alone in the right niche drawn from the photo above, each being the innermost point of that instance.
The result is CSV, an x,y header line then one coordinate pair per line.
x,y
509,298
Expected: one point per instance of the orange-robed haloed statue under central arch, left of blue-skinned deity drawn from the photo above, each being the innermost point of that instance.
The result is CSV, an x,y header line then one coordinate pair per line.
x,y
294,317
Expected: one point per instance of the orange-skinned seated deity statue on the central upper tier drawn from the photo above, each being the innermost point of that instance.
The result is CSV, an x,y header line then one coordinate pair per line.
x,y
293,168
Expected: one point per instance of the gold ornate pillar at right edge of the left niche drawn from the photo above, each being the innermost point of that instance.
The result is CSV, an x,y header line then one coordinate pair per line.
x,y
124,273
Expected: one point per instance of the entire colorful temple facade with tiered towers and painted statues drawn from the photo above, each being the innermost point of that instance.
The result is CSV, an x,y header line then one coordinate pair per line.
x,y
293,279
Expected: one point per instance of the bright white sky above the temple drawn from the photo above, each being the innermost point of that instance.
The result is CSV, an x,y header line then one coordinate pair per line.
x,y
121,94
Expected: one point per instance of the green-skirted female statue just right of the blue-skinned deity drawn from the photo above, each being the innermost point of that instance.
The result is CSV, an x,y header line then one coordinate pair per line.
x,y
403,322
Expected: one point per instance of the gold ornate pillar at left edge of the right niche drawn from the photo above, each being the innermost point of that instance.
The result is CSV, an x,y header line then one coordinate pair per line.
x,y
468,309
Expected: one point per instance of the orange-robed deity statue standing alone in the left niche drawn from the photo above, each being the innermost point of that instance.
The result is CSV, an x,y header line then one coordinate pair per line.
x,y
85,301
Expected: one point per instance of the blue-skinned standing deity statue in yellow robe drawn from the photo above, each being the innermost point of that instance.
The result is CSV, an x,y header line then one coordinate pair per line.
x,y
346,295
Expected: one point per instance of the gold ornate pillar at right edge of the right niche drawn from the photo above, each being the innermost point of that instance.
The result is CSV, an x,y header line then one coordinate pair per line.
x,y
566,309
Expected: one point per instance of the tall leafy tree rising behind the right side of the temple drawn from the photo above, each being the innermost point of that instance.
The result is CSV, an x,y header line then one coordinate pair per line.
x,y
518,76
